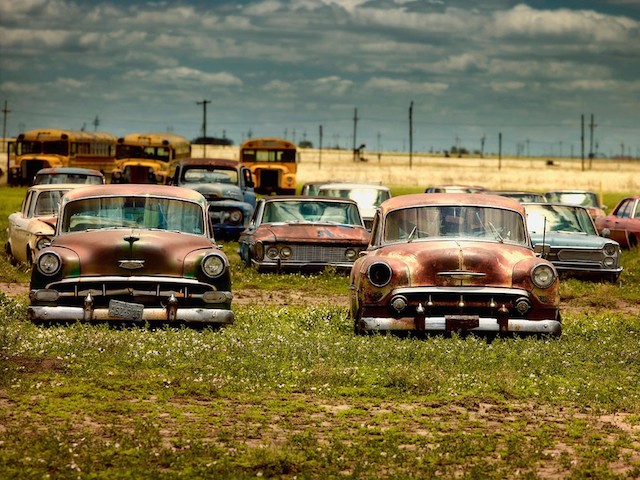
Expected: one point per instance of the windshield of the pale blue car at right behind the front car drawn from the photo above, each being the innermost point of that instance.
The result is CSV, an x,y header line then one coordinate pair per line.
x,y
559,218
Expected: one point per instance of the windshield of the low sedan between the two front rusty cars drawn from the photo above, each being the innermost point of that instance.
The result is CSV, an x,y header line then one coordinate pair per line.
x,y
311,211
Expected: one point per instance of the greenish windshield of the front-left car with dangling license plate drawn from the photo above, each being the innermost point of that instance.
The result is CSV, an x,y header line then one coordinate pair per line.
x,y
133,212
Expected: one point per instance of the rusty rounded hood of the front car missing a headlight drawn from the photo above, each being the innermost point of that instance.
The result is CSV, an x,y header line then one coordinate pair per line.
x,y
456,262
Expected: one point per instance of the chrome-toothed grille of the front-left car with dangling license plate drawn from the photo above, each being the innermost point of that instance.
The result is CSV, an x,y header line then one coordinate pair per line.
x,y
146,291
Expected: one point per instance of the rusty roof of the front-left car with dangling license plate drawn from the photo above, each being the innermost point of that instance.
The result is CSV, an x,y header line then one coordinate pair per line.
x,y
134,189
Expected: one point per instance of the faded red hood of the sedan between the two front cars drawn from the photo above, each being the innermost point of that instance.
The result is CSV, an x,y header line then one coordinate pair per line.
x,y
313,233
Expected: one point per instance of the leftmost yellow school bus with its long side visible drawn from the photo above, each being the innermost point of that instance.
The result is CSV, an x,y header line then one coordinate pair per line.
x,y
36,149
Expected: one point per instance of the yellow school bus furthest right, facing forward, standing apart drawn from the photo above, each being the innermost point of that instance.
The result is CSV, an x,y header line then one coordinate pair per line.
x,y
273,162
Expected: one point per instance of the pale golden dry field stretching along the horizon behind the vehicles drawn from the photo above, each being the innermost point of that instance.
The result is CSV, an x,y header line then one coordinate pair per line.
x,y
622,176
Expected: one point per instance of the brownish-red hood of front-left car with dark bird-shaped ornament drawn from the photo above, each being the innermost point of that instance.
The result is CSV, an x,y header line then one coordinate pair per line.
x,y
132,251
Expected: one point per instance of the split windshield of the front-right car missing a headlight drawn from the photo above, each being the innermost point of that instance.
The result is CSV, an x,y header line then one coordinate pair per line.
x,y
460,221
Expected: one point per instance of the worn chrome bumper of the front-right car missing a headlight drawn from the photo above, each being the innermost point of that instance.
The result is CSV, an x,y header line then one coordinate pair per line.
x,y
485,324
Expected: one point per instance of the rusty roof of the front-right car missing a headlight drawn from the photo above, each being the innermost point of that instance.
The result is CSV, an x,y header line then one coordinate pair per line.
x,y
457,199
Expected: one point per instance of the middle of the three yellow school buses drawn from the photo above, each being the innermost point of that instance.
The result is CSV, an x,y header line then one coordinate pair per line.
x,y
146,157
